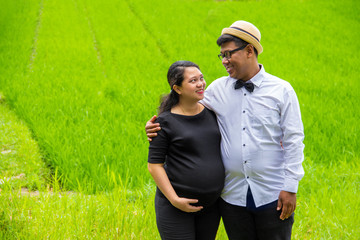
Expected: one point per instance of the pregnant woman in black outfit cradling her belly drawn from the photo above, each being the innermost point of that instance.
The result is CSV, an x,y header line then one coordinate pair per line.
x,y
185,161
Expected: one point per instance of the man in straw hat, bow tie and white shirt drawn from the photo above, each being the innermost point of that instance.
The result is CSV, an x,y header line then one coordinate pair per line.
x,y
262,139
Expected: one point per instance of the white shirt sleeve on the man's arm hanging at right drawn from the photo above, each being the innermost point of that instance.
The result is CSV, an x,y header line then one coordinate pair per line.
x,y
292,140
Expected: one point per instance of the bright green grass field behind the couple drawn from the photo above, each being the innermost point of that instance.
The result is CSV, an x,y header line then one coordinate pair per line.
x,y
79,79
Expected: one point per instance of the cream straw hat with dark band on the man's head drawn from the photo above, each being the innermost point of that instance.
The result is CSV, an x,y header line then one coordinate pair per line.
x,y
247,32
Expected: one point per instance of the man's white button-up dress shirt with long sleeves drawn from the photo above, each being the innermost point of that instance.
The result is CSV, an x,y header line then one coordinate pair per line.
x,y
253,126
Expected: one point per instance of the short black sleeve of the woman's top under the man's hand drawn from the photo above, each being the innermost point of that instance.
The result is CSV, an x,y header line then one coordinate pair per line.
x,y
158,148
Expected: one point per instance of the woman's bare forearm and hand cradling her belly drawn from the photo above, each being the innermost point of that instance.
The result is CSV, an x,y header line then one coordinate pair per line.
x,y
161,179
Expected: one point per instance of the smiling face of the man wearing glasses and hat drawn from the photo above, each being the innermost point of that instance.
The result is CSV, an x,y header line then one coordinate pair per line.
x,y
236,65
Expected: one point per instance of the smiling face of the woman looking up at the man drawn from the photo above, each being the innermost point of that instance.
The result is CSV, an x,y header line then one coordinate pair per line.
x,y
193,85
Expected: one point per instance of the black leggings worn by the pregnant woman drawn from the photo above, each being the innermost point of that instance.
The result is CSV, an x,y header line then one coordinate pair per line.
x,y
174,224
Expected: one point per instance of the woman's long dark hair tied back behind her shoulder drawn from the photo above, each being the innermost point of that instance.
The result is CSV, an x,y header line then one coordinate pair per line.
x,y
175,76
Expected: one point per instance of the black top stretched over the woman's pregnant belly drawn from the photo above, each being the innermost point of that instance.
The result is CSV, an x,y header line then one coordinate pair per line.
x,y
190,148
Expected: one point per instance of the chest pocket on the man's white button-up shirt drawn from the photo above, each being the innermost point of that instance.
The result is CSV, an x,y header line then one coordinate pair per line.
x,y
265,122
